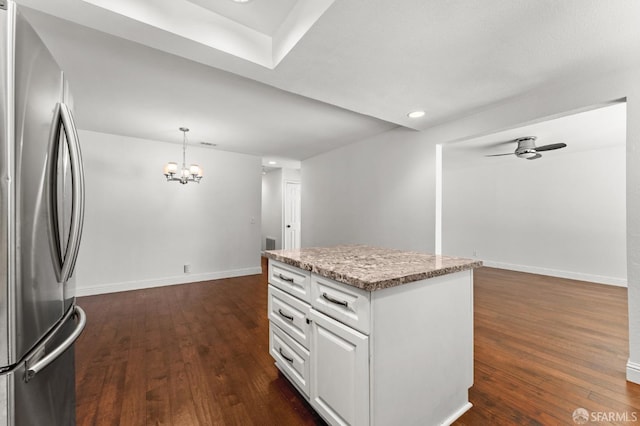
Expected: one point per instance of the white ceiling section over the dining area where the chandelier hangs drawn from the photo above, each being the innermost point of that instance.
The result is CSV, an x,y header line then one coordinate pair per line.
x,y
125,88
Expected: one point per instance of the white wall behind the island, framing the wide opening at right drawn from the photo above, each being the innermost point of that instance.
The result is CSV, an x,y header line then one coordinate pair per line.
x,y
350,194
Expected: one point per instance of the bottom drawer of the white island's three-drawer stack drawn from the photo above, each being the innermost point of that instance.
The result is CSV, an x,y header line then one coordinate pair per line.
x,y
291,358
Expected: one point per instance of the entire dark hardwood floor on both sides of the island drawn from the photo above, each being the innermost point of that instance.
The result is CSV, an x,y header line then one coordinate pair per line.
x,y
197,354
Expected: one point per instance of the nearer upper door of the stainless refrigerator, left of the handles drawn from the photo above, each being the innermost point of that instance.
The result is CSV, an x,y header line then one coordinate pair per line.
x,y
39,293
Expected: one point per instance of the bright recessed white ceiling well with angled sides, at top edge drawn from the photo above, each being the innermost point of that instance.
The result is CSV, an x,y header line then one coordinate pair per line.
x,y
222,25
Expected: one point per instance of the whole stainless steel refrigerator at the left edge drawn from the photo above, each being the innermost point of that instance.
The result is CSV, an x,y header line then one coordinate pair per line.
x,y
41,216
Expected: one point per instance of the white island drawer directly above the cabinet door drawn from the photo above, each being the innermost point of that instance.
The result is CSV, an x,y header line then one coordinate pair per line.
x,y
349,305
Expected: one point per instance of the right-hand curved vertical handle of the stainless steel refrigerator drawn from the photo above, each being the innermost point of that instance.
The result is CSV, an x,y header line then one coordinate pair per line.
x,y
77,191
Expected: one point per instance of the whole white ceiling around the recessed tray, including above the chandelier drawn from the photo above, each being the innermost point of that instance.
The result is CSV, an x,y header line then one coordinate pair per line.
x,y
360,68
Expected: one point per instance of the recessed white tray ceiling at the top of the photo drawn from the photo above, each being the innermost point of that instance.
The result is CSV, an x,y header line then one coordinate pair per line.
x,y
259,32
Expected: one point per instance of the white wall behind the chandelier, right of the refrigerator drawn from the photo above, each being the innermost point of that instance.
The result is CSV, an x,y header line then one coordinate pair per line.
x,y
140,230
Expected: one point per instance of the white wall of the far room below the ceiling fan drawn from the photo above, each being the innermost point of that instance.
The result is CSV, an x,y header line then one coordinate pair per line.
x,y
563,215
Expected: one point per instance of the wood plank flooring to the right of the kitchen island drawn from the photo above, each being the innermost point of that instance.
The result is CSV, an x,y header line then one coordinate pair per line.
x,y
547,346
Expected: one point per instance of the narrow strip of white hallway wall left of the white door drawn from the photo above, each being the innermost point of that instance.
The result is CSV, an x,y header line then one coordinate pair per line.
x,y
272,207
